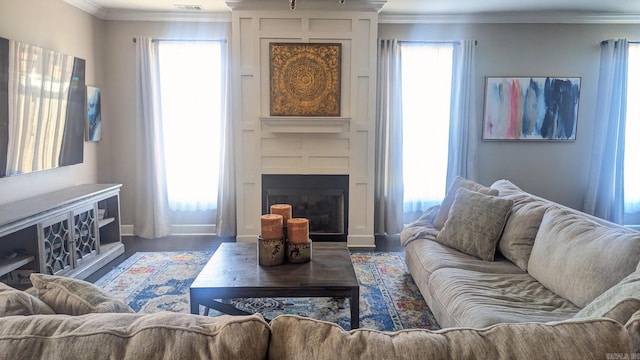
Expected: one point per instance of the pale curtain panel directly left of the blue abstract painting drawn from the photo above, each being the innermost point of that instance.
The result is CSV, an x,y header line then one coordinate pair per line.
x,y
464,130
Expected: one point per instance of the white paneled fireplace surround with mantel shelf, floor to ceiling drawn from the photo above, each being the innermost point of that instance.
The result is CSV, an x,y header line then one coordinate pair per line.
x,y
341,145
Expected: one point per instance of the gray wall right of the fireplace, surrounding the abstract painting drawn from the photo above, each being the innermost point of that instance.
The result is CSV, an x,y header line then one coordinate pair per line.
x,y
554,170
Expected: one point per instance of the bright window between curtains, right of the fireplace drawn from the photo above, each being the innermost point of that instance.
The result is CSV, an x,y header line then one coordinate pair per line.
x,y
426,99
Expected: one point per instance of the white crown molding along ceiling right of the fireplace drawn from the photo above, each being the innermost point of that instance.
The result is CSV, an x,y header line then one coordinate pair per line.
x,y
509,18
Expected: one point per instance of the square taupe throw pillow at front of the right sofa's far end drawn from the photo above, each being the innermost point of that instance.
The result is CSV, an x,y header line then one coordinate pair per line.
x,y
475,223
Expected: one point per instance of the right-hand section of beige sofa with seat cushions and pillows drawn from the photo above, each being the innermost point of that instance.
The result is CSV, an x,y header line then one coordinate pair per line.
x,y
490,255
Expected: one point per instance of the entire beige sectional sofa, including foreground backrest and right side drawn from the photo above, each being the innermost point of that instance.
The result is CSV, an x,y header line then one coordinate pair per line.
x,y
507,274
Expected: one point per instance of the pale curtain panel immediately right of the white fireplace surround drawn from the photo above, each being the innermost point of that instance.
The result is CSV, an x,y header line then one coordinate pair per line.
x,y
388,159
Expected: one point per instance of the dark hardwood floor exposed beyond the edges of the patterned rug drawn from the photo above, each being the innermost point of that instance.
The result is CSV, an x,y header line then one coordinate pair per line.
x,y
133,244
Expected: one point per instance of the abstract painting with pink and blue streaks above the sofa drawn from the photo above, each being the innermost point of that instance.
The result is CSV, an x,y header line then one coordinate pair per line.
x,y
531,108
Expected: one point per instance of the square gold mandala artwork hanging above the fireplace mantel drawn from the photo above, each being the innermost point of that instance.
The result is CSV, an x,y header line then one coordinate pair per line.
x,y
305,79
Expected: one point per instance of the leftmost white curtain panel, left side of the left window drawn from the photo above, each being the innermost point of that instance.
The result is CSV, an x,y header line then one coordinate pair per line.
x,y
152,218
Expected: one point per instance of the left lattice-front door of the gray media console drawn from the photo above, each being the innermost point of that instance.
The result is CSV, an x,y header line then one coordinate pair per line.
x,y
56,257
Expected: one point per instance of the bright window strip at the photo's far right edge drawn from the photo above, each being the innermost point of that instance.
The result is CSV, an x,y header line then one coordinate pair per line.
x,y
632,131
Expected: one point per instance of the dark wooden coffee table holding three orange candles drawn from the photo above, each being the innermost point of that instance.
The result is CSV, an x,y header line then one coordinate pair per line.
x,y
233,272
